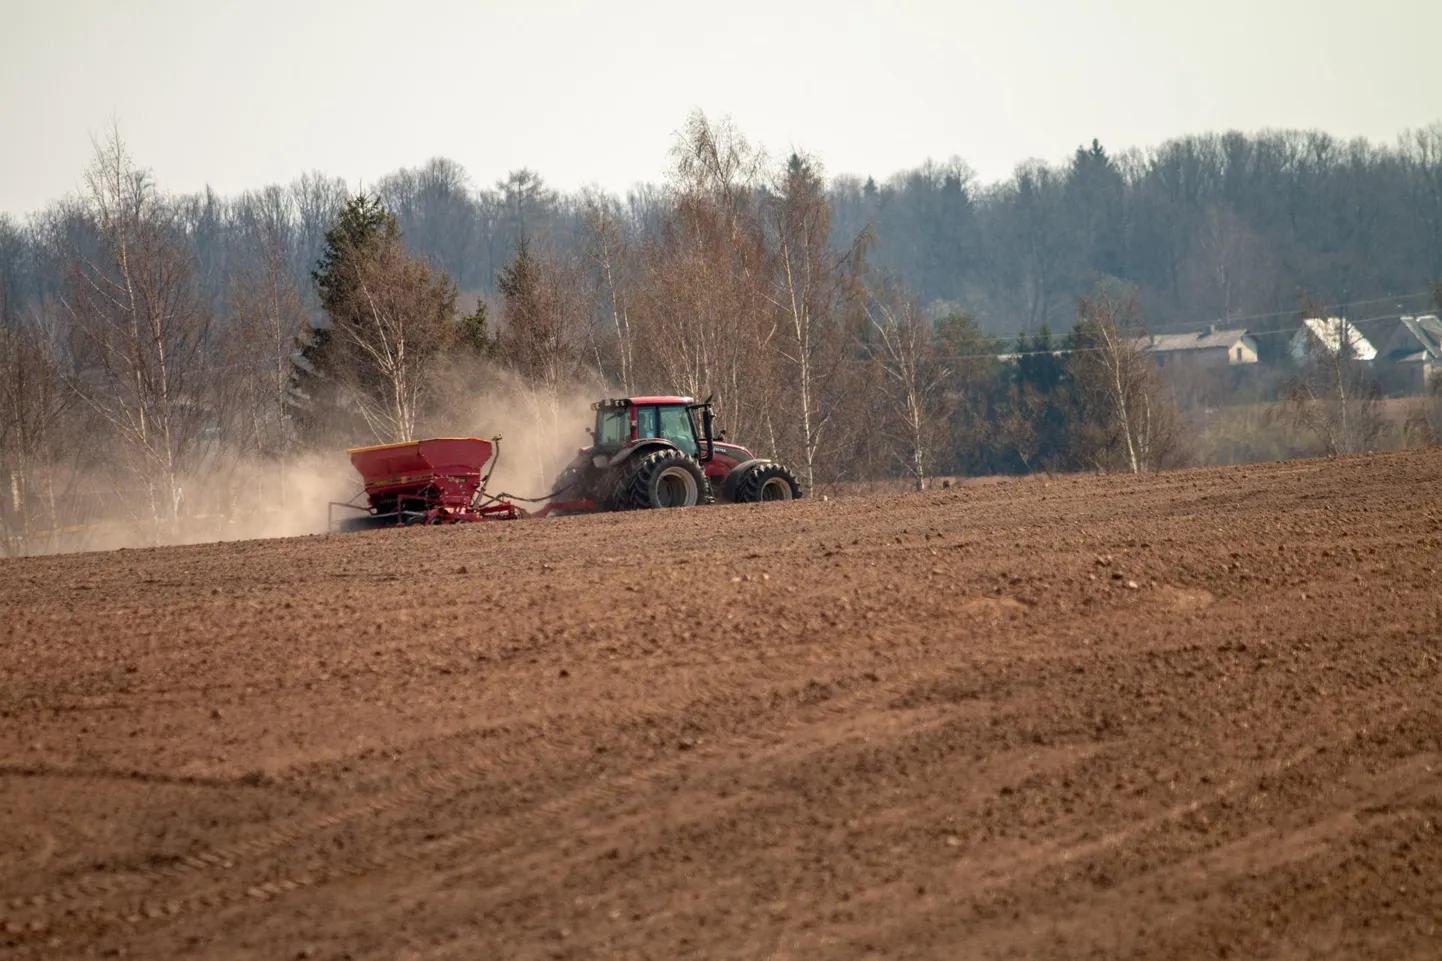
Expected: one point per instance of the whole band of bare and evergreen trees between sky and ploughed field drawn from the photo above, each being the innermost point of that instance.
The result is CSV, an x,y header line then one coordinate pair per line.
x,y
158,348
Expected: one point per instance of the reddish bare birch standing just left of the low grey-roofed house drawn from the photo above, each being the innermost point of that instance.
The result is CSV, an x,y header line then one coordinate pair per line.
x,y
1124,419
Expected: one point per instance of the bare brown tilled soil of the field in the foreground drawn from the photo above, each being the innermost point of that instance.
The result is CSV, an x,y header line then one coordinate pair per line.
x,y
1190,715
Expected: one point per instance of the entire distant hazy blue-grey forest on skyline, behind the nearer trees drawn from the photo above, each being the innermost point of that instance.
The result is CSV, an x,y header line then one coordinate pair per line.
x,y
1212,227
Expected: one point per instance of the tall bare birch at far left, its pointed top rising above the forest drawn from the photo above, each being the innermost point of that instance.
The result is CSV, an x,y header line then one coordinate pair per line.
x,y
143,331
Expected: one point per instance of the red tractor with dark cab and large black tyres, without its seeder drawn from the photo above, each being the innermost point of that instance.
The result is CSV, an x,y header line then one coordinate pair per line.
x,y
658,452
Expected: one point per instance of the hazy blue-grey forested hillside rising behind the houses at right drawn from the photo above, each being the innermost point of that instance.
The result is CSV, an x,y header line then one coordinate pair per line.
x,y
1208,229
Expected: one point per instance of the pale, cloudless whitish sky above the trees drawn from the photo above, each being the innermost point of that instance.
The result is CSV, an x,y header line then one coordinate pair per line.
x,y
240,95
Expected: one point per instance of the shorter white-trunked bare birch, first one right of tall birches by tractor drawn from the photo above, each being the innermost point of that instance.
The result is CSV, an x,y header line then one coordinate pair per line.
x,y
914,379
